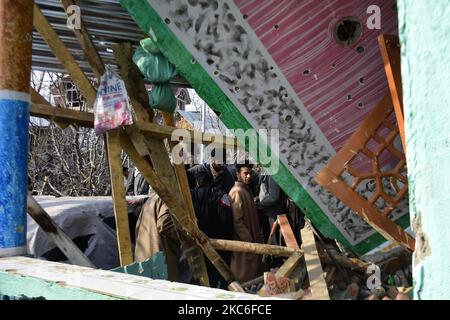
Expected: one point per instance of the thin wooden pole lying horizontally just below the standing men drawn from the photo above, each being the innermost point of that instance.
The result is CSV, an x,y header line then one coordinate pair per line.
x,y
255,248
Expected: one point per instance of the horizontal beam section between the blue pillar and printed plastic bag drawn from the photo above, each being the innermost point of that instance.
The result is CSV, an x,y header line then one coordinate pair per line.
x,y
67,116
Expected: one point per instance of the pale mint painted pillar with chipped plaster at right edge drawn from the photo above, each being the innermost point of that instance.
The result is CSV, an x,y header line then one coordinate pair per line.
x,y
425,38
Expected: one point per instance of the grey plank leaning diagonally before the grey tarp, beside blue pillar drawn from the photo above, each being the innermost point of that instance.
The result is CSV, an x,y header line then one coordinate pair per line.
x,y
59,237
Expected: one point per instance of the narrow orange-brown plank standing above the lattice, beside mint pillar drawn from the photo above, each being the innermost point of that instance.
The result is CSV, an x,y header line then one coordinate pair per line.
x,y
390,52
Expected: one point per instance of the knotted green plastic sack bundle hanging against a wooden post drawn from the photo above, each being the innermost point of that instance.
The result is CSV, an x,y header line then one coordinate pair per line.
x,y
158,70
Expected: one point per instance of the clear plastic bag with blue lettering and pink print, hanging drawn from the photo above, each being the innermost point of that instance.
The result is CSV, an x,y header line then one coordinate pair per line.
x,y
111,107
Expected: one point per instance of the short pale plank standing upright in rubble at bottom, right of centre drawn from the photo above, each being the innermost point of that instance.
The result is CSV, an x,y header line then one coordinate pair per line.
x,y
316,276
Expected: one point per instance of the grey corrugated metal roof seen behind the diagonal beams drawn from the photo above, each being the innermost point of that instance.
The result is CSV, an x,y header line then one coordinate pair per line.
x,y
106,21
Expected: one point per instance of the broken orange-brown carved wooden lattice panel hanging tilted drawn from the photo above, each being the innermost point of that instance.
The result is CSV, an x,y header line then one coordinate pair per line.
x,y
370,157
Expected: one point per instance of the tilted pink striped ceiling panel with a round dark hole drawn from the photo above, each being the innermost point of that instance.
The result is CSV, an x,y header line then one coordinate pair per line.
x,y
299,36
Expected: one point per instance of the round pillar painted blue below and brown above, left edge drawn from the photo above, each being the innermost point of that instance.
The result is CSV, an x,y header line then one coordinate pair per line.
x,y
16,22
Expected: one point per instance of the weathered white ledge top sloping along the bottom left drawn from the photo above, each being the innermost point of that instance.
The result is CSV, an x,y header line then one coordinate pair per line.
x,y
114,283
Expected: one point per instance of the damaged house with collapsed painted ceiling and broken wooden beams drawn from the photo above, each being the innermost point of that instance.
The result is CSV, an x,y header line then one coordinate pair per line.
x,y
338,101
